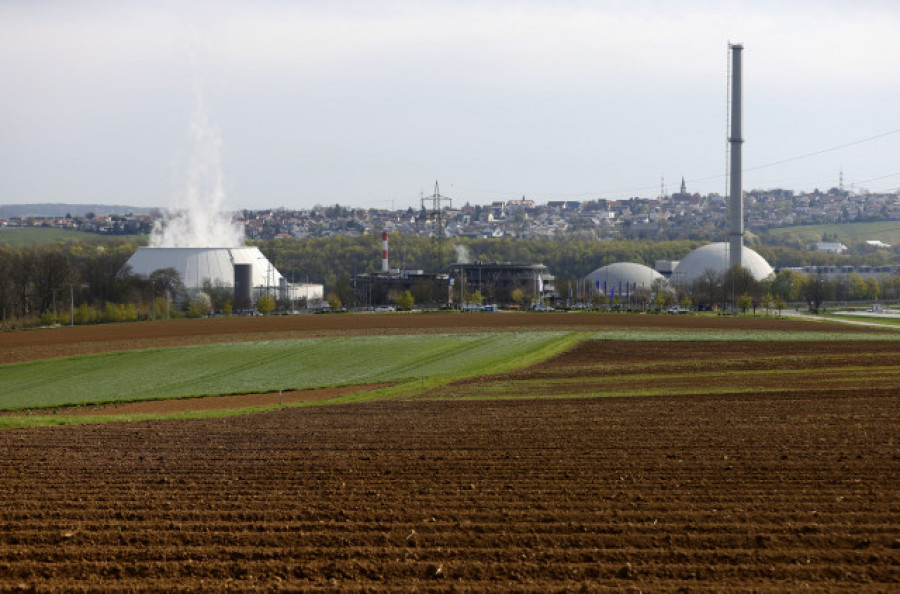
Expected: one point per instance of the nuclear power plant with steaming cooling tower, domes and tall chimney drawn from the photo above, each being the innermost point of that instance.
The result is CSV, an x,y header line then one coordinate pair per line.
x,y
251,274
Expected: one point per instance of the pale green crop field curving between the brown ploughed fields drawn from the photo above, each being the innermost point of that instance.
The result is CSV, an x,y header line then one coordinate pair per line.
x,y
267,366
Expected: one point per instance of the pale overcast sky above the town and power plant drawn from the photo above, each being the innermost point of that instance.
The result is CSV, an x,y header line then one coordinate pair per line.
x,y
368,103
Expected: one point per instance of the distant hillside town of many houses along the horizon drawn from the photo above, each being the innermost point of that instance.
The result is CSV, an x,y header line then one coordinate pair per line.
x,y
682,215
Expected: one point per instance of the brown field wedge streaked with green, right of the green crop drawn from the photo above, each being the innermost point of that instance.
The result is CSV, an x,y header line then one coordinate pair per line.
x,y
603,368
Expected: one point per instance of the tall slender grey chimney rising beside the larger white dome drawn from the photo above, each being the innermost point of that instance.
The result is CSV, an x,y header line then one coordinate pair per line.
x,y
735,140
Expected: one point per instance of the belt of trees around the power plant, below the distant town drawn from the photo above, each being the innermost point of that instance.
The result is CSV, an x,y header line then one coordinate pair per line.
x,y
43,284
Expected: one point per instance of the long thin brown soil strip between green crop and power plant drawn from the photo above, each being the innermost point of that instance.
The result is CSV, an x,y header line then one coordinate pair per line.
x,y
79,340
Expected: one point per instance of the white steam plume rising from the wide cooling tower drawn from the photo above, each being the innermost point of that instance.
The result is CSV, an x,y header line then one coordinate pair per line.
x,y
199,218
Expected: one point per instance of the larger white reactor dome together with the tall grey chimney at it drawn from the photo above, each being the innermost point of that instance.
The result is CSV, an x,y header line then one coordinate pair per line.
x,y
720,257
